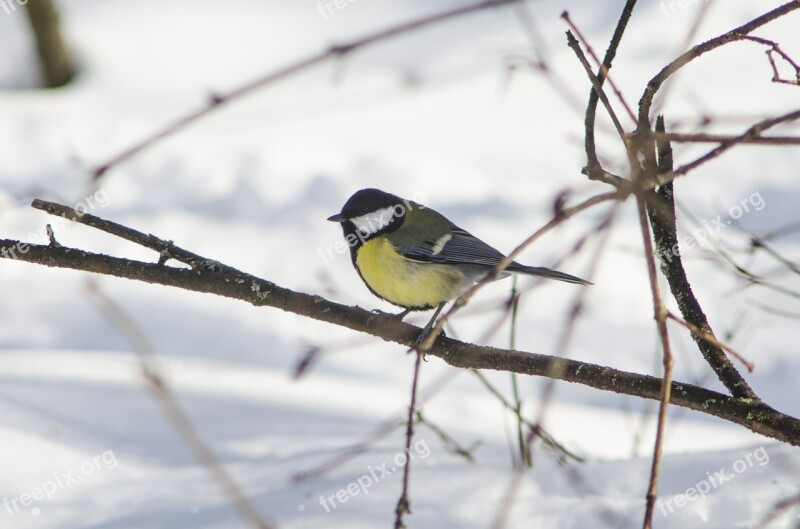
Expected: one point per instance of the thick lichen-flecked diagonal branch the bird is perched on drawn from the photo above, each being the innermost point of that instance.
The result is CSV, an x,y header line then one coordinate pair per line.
x,y
222,280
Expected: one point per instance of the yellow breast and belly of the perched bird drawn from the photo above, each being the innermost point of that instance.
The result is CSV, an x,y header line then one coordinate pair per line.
x,y
405,282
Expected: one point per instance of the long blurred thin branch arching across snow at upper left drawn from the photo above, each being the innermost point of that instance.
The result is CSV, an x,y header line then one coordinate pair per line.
x,y
217,100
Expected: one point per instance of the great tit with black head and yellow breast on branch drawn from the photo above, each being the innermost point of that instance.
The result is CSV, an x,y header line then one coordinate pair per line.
x,y
414,257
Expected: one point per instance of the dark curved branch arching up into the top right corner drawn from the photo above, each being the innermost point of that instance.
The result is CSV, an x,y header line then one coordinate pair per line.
x,y
739,33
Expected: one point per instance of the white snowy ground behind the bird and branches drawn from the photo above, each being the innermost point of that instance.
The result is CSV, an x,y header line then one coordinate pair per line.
x,y
431,116
